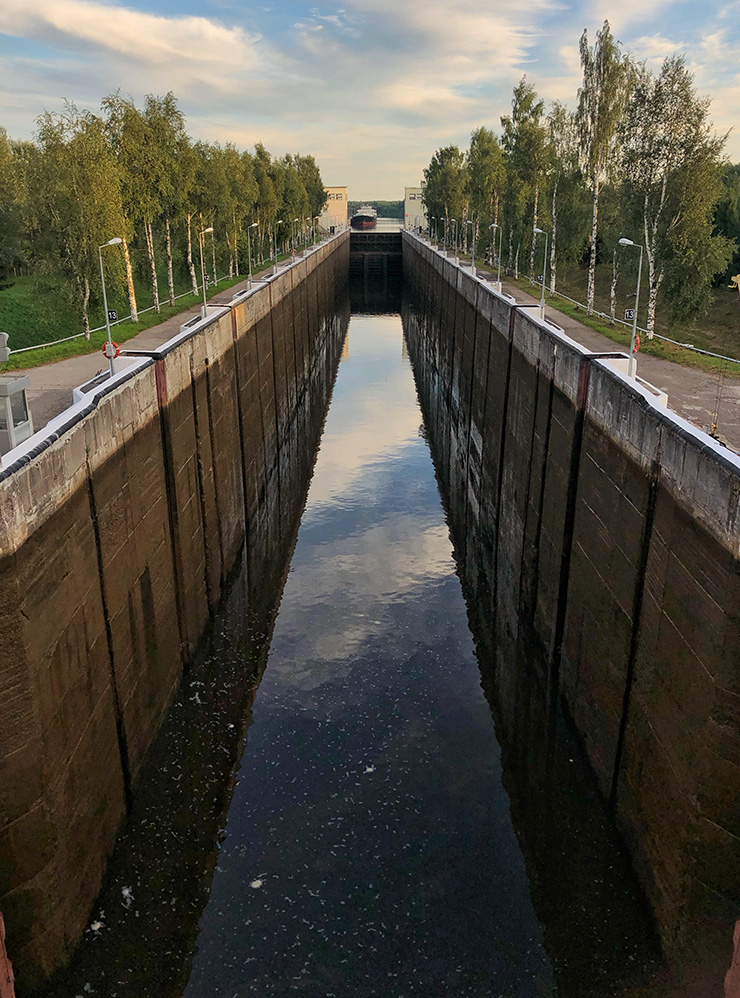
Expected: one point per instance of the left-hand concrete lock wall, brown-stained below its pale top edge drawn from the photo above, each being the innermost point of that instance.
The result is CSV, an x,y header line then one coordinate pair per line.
x,y
121,521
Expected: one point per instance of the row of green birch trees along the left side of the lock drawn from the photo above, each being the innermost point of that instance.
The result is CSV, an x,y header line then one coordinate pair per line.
x,y
134,173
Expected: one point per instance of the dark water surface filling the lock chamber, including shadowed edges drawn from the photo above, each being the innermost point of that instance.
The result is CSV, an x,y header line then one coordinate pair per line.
x,y
372,840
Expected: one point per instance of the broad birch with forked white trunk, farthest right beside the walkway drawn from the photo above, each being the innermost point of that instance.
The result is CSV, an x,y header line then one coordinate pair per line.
x,y
673,176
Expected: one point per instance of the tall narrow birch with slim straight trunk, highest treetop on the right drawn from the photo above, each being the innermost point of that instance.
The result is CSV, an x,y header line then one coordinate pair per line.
x,y
601,102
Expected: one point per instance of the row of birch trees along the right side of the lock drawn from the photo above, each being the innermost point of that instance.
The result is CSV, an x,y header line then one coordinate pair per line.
x,y
637,159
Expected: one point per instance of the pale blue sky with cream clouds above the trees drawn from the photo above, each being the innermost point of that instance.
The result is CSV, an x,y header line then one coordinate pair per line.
x,y
369,87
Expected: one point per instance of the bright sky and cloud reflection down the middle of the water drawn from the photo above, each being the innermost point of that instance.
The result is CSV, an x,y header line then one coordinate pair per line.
x,y
369,848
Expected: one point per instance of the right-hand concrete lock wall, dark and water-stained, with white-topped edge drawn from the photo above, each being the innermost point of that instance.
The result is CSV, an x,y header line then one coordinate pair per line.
x,y
600,531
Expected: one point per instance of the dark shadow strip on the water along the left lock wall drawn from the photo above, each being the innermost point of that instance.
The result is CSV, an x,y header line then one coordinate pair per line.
x,y
159,876
